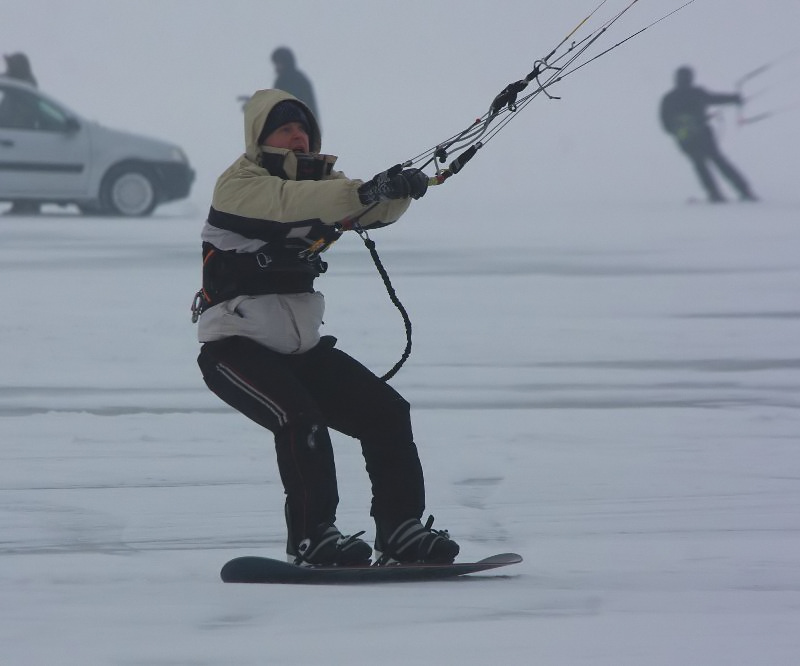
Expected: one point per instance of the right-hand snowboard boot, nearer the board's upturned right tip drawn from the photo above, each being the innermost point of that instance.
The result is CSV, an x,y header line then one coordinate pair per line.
x,y
412,542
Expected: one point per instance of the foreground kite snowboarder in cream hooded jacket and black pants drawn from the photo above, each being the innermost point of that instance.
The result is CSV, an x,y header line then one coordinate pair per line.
x,y
272,212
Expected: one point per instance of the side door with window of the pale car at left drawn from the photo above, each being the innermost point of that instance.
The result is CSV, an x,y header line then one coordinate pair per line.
x,y
44,151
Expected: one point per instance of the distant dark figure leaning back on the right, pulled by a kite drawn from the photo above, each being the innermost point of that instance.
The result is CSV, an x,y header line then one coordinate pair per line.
x,y
684,116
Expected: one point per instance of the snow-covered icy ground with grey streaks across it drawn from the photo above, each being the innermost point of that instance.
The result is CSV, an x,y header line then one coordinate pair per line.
x,y
612,391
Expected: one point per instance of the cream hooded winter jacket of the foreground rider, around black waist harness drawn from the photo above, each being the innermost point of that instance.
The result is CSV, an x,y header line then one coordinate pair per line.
x,y
251,202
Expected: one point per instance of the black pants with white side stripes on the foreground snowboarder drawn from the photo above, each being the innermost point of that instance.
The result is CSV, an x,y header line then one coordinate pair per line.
x,y
298,397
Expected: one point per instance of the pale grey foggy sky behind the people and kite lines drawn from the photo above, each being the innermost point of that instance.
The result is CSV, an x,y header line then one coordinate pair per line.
x,y
393,79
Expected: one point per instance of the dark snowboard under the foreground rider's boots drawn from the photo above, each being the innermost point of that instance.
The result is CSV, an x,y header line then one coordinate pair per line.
x,y
253,569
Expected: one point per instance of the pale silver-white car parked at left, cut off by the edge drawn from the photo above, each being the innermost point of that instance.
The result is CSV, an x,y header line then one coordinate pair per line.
x,y
49,154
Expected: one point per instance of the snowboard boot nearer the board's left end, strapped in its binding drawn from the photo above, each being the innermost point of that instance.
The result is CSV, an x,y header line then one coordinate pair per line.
x,y
328,547
